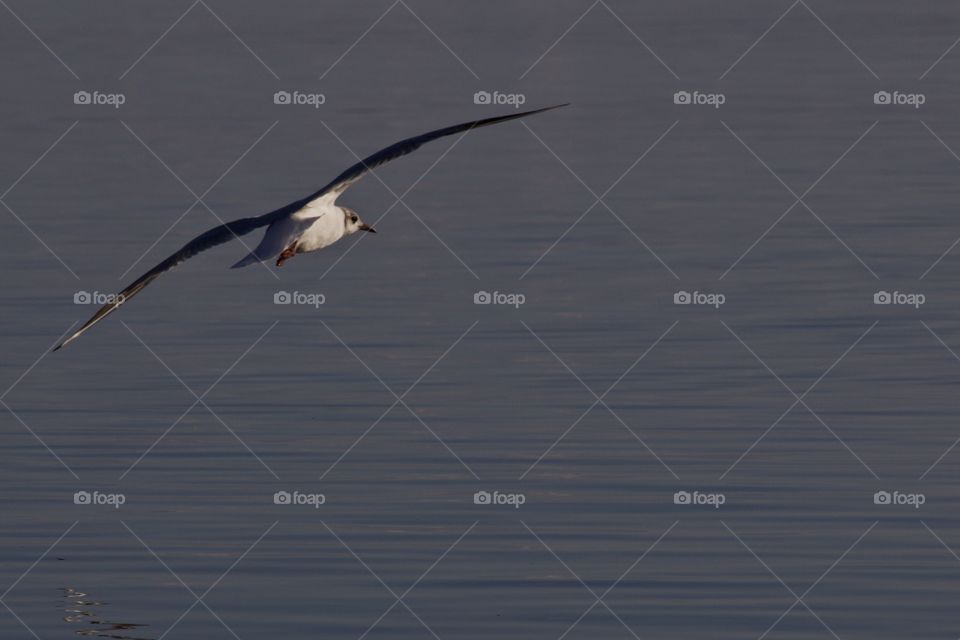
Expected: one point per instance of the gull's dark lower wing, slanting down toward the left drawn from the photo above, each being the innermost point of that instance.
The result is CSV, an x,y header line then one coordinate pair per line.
x,y
213,237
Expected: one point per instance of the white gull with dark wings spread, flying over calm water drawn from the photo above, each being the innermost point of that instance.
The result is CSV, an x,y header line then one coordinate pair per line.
x,y
305,225
